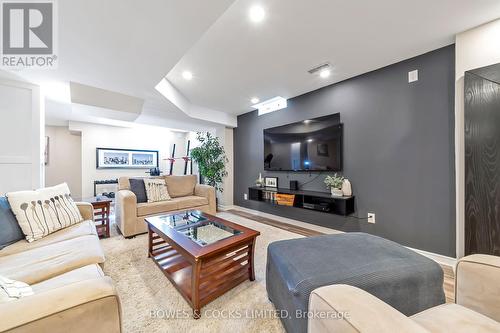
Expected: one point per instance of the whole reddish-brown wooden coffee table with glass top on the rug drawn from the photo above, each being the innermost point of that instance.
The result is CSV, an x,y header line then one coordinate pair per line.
x,y
202,255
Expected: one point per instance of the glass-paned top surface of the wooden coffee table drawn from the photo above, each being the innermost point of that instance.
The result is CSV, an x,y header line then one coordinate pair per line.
x,y
197,227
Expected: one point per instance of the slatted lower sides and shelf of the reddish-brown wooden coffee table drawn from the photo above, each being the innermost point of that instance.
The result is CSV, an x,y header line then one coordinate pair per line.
x,y
217,275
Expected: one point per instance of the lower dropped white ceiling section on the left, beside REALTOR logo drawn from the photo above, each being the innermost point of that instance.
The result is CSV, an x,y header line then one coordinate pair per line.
x,y
125,46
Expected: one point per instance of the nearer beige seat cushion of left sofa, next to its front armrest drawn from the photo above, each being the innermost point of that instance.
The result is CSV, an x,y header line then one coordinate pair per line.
x,y
45,262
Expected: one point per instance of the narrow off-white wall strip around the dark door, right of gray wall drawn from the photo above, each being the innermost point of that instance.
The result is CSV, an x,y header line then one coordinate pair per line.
x,y
474,48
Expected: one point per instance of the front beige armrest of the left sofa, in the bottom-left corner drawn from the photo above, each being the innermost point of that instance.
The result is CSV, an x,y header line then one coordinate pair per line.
x,y
81,307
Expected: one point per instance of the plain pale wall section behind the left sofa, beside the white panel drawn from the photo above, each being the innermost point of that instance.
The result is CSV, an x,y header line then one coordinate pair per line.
x,y
65,159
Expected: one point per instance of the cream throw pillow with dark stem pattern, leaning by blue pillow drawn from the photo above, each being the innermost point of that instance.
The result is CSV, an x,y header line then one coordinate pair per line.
x,y
44,211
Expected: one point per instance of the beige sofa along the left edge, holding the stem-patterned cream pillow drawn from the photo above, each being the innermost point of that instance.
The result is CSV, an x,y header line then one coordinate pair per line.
x,y
71,293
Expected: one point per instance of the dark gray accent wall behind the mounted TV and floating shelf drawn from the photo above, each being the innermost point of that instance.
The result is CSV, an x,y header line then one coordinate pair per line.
x,y
398,152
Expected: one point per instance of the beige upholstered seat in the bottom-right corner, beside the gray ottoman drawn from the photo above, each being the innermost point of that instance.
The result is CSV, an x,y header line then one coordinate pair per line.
x,y
476,308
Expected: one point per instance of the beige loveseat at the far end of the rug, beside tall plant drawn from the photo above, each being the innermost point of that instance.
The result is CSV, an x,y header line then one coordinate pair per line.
x,y
184,191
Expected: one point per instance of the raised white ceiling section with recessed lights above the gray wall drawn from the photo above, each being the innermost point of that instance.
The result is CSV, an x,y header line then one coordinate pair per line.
x,y
237,59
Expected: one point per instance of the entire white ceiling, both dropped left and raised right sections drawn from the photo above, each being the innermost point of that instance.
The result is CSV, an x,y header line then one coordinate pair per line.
x,y
128,46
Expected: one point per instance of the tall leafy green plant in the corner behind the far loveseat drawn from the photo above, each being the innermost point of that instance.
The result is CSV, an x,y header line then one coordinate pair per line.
x,y
211,159
